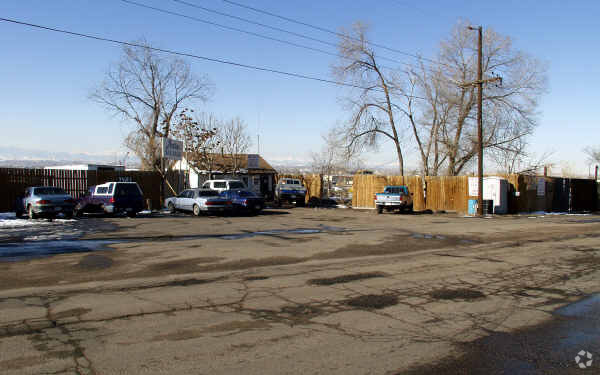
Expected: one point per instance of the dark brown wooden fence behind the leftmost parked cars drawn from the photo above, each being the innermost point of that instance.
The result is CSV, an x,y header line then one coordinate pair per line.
x,y
13,182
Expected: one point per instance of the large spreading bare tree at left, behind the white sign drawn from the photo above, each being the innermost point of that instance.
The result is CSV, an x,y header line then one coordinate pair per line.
x,y
148,89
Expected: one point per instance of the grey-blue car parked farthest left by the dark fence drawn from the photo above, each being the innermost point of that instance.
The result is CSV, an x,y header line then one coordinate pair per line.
x,y
44,201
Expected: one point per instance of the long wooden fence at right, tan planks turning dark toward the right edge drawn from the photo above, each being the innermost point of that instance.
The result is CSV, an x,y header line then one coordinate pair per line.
x,y
452,193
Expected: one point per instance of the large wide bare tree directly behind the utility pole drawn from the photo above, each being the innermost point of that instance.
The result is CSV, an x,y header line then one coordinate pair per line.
x,y
509,109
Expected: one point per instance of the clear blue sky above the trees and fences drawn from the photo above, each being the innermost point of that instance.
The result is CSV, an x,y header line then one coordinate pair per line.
x,y
47,77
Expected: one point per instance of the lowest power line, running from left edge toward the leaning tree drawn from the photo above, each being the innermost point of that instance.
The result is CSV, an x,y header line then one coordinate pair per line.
x,y
185,54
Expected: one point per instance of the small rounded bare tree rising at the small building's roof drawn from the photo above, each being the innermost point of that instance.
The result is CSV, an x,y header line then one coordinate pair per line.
x,y
235,142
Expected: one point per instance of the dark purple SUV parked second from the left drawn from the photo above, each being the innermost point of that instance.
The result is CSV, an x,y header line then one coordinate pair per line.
x,y
112,198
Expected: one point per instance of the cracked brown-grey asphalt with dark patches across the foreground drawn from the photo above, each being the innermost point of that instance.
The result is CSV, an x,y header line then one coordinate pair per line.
x,y
299,291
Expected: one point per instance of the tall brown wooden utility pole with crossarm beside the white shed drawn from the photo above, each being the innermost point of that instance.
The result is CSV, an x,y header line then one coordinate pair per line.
x,y
479,82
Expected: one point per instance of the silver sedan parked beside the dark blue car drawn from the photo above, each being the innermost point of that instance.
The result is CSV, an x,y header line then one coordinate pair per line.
x,y
197,201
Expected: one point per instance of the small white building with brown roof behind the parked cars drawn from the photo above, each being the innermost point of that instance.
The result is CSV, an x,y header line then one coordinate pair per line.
x,y
252,169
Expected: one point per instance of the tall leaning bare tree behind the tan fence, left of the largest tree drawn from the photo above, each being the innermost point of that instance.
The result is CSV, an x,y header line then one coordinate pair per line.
x,y
373,111
